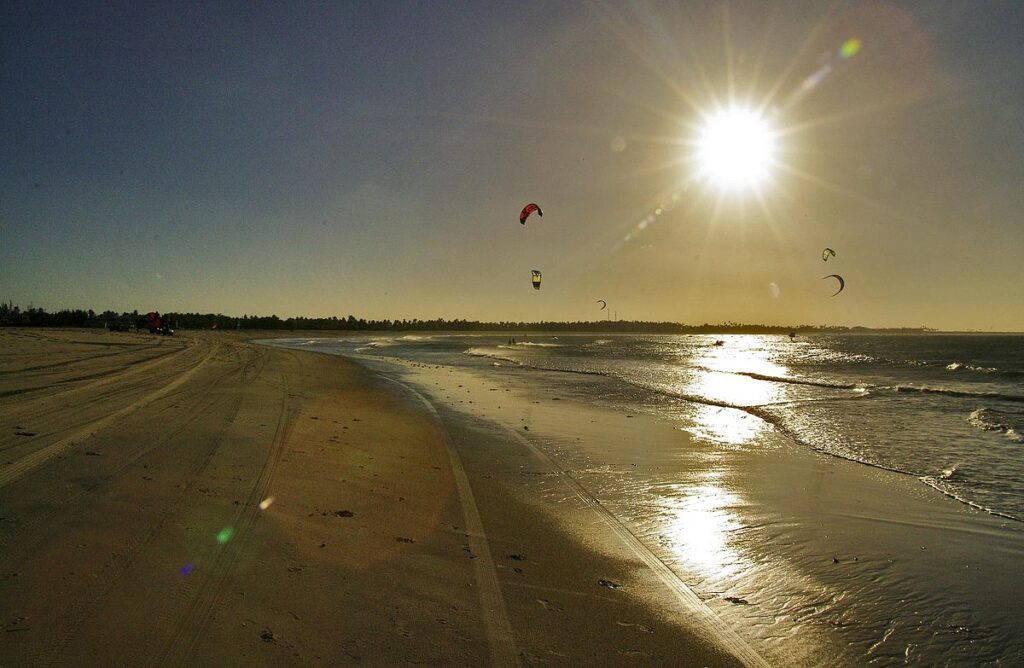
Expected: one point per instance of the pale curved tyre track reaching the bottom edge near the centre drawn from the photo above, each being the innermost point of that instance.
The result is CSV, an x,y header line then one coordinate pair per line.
x,y
496,620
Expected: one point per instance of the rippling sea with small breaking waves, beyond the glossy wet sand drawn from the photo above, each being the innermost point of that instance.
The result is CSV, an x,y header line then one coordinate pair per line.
x,y
946,408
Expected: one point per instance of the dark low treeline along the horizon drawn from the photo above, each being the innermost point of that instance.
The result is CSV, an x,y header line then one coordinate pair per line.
x,y
13,316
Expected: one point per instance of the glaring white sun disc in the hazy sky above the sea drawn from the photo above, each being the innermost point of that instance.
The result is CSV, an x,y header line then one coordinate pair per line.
x,y
736,150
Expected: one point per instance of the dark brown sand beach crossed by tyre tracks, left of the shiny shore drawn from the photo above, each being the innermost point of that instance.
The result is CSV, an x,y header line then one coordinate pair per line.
x,y
202,500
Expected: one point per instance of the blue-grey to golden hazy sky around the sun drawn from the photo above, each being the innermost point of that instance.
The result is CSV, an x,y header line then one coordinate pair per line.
x,y
372,159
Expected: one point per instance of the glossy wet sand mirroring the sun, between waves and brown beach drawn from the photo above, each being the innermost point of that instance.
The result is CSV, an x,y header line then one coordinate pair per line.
x,y
819,540
